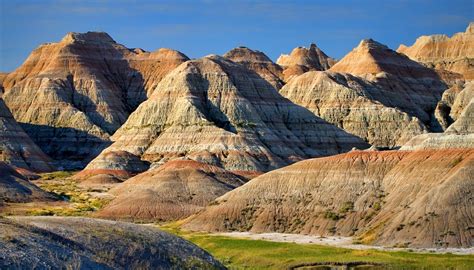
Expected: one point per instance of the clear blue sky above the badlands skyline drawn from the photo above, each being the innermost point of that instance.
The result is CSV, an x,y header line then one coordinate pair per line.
x,y
198,28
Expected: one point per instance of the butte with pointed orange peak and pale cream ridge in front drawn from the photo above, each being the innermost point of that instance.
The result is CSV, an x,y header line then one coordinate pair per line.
x,y
373,92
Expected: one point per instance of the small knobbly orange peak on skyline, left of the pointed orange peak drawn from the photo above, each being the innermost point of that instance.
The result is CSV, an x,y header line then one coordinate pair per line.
x,y
302,59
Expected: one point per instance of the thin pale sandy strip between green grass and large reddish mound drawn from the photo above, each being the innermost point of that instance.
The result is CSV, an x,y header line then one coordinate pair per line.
x,y
337,241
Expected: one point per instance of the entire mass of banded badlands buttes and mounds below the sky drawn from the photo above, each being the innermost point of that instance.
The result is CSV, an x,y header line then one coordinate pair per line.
x,y
208,140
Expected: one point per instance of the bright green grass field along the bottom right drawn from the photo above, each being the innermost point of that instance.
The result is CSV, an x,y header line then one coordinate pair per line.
x,y
238,253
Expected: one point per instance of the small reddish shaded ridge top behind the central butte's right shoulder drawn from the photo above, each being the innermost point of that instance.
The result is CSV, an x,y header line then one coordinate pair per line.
x,y
258,62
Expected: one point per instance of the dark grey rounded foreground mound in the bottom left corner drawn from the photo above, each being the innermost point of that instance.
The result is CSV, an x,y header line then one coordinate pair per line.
x,y
83,243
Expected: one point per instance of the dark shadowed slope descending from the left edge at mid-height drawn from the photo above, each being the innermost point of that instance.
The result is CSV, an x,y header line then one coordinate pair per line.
x,y
16,148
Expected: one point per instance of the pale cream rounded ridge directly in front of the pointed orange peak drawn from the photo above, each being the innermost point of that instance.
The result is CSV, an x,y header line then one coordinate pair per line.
x,y
357,105
